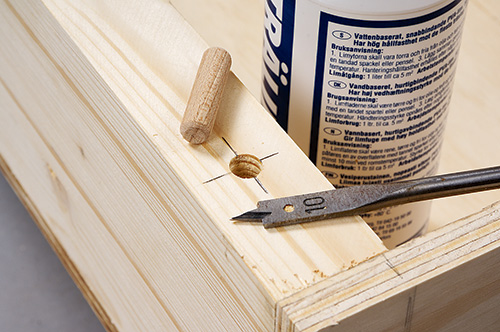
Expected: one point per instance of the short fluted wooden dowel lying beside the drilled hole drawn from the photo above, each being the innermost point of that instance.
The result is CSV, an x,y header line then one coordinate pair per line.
x,y
206,95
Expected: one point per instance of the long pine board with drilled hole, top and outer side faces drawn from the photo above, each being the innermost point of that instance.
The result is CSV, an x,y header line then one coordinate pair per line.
x,y
92,96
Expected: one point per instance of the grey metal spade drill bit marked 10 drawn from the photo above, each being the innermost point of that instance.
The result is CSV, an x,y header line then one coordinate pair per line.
x,y
355,200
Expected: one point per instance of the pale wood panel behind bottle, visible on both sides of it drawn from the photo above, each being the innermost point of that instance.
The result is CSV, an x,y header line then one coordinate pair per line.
x,y
472,130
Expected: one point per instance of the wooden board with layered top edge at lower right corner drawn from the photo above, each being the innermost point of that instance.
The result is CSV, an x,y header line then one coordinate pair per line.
x,y
446,278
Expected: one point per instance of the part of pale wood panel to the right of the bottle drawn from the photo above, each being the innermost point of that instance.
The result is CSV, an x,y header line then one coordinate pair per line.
x,y
472,133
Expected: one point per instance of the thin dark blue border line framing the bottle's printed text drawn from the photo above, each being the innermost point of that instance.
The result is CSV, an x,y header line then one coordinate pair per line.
x,y
325,19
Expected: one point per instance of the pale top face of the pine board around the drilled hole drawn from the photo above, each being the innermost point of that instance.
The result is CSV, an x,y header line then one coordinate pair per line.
x,y
169,82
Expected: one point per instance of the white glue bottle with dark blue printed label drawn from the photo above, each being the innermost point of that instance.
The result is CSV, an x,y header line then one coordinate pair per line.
x,y
363,88
